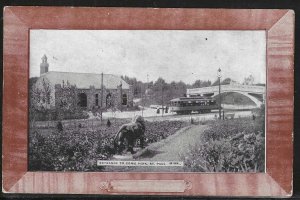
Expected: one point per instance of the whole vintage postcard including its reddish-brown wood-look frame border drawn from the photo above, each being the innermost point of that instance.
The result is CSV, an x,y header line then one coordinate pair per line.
x,y
149,105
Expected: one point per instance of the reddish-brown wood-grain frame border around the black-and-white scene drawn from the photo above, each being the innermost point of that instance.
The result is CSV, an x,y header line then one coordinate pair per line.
x,y
279,26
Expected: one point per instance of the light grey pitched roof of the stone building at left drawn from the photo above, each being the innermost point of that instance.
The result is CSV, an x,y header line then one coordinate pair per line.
x,y
85,80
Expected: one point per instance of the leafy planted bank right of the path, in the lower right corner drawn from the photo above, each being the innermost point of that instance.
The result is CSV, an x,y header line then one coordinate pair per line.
x,y
229,146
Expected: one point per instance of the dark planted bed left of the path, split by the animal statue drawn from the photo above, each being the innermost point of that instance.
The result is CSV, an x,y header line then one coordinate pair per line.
x,y
79,148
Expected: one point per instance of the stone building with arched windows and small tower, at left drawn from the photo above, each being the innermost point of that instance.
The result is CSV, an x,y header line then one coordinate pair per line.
x,y
85,90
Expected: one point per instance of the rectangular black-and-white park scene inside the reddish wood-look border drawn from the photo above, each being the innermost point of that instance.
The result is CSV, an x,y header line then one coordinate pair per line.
x,y
147,100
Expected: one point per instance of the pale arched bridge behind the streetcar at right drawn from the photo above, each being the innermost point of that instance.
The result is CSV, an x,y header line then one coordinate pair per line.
x,y
253,92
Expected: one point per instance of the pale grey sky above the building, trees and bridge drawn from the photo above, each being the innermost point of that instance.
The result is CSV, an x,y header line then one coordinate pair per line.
x,y
174,55
